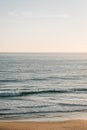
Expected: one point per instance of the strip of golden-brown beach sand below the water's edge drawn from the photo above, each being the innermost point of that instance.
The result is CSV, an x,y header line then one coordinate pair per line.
x,y
66,125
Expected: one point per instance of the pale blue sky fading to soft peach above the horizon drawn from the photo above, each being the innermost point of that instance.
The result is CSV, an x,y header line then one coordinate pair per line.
x,y
43,25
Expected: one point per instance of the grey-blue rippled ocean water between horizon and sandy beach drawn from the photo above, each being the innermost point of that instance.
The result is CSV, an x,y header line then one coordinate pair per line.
x,y
43,86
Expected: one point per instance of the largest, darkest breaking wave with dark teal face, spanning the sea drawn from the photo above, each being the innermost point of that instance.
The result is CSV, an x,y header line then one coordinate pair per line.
x,y
25,93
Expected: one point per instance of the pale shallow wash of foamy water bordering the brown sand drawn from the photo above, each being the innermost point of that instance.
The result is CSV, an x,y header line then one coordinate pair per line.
x,y
60,117
